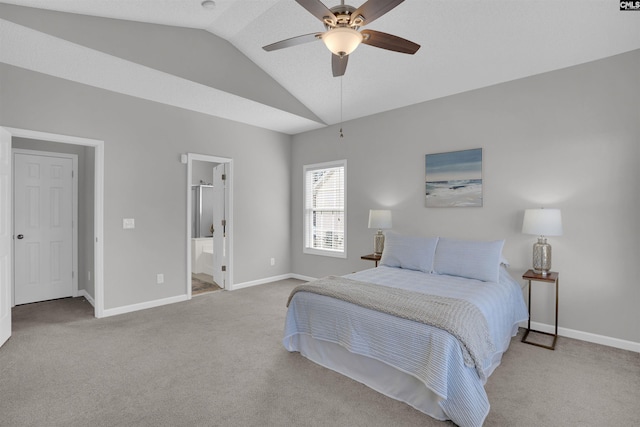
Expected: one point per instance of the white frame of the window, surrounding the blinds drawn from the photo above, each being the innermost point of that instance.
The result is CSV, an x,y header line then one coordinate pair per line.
x,y
307,216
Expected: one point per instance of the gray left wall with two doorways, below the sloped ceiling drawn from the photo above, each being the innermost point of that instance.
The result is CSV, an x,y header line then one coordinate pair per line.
x,y
145,180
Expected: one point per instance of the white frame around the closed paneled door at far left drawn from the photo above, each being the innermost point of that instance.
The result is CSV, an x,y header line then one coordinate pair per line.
x,y
74,212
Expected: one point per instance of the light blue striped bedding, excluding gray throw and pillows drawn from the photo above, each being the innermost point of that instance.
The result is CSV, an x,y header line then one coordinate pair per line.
x,y
409,361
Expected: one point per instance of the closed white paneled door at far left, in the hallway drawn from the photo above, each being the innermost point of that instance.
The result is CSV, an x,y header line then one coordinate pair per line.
x,y
43,227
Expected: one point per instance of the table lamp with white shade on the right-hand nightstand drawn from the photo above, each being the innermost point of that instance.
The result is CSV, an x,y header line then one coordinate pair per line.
x,y
542,222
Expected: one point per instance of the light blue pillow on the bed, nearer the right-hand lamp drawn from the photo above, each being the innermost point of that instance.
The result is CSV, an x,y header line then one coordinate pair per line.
x,y
471,259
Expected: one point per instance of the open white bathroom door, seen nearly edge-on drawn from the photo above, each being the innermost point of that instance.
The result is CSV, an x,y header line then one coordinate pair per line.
x,y
219,225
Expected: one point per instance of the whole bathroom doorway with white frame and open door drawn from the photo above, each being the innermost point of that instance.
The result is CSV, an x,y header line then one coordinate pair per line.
x,y
209,235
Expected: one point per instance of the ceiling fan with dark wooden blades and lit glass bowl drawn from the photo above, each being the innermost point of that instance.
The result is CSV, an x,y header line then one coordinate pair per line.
x,y
343,36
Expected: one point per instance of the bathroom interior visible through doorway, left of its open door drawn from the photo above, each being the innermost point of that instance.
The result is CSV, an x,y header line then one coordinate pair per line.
x,y
206,206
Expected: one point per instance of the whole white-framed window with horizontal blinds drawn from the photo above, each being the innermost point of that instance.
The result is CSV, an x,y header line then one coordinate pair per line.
x,y
324,209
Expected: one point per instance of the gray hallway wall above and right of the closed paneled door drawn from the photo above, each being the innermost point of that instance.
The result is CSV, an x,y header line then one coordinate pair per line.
x,y
85,202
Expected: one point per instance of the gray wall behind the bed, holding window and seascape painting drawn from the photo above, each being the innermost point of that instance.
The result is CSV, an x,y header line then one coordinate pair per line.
x,y
568,139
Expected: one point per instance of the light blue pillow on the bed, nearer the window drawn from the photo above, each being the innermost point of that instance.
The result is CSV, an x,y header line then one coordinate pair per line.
x,y
410,252
